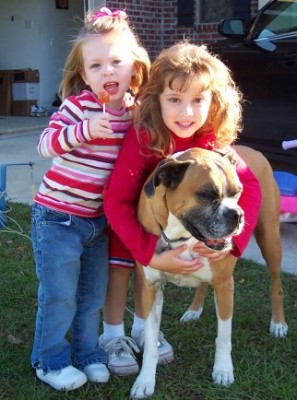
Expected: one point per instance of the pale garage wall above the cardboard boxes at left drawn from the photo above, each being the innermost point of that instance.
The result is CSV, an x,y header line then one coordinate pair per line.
x,y
35,35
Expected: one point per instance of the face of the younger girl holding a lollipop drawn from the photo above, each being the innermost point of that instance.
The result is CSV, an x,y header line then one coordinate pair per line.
x,y
108,65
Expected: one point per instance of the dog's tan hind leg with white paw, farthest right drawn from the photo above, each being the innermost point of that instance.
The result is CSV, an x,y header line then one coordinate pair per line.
x,y
267,234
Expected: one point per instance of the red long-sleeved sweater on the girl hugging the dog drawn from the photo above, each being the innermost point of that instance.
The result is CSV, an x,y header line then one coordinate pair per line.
x,y
133,165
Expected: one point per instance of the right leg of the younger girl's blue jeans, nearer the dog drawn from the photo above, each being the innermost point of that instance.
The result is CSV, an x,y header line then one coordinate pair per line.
x,y
91,294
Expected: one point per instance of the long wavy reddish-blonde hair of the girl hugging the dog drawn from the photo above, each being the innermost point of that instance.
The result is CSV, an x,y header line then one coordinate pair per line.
x,y
183,61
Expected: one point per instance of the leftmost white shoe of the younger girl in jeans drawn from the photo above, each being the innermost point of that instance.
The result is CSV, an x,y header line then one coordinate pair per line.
x,y
68,378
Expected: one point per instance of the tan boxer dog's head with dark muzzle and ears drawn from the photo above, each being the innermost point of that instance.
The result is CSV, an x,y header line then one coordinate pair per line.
x,y
201,190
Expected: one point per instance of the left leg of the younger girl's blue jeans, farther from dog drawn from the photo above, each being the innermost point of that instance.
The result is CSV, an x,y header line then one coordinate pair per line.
x,y
58,243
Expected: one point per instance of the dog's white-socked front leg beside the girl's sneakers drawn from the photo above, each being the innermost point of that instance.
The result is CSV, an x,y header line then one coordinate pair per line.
x,y
144,386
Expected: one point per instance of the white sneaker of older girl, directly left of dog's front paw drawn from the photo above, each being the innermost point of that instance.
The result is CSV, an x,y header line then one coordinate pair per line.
x,y
121,357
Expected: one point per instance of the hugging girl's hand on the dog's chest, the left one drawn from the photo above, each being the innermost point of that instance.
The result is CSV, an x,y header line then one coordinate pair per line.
x,y
169,261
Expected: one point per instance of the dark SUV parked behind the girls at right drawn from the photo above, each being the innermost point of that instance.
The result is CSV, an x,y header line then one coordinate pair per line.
x,y
262,54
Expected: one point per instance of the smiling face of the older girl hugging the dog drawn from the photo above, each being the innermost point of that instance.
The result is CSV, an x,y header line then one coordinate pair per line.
x,y
185,112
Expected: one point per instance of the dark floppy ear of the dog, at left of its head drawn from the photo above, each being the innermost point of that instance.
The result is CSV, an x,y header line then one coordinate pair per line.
x,y
169,173
